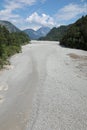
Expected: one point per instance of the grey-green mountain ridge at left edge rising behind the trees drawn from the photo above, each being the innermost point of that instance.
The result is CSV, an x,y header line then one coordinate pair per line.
x,y
10,27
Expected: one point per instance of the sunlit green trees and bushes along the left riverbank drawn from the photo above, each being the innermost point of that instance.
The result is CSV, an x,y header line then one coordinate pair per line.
x,y
10,43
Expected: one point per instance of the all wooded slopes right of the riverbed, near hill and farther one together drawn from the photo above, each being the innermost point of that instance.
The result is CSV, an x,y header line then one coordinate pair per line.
x,y
73,36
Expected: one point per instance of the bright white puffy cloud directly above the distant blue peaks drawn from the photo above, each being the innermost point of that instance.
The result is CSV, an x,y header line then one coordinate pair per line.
x,y
41,20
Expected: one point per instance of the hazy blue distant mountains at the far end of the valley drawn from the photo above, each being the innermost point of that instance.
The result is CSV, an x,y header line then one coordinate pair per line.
x,y
38,33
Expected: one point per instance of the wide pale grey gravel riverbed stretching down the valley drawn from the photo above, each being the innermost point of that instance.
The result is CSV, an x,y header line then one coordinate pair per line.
x,y
44,88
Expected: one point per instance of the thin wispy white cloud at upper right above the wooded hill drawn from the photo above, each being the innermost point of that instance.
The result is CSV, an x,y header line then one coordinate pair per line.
x,y
71,11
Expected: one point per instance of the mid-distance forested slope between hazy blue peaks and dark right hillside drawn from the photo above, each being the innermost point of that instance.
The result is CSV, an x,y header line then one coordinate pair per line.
x,y
55,34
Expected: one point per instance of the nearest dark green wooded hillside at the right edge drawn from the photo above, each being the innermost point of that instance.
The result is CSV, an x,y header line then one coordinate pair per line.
x,y
76,35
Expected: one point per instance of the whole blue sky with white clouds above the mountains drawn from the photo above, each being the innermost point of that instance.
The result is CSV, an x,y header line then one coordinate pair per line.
x,y
37,13
